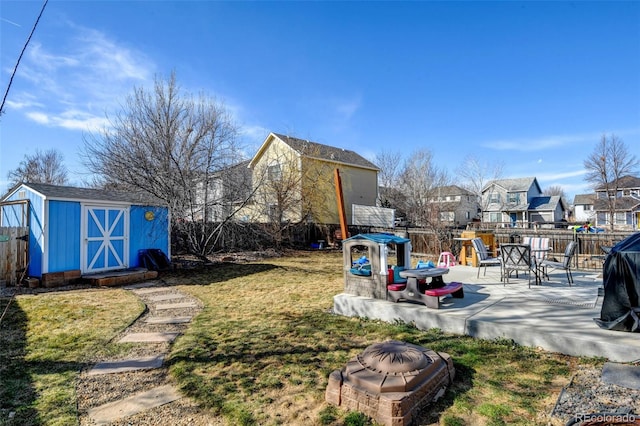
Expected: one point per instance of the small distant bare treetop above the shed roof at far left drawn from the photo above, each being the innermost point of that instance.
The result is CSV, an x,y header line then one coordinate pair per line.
x,y
41,167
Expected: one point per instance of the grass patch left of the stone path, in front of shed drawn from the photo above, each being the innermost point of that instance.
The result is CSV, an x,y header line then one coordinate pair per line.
x,y
46,340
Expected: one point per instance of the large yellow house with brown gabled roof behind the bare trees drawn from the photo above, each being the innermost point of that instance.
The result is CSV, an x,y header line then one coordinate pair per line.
x,y
293,180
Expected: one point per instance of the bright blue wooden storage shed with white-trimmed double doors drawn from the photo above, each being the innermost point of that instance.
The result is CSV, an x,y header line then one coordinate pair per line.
x,y
85,229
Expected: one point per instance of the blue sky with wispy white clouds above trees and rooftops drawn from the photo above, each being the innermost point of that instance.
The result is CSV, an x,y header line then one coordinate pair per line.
x,y
533,85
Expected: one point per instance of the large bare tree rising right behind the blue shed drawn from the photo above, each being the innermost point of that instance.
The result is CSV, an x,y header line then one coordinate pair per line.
x,y
171,145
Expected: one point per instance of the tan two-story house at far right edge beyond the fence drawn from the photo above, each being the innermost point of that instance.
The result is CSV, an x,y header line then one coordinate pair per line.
x,y
625,193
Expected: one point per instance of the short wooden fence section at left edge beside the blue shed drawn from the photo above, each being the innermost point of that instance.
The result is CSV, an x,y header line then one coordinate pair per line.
x,y
13,254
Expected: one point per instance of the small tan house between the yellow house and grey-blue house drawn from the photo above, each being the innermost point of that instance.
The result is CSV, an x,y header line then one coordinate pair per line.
x,y
454,206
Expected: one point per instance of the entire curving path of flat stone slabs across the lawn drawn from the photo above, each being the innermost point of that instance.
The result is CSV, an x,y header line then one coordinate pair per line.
x,y
151,294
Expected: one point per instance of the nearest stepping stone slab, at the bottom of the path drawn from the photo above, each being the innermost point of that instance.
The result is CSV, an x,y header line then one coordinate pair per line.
x,y
134,404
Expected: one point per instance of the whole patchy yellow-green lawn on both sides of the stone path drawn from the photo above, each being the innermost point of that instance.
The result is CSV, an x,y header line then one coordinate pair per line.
x,y
260,351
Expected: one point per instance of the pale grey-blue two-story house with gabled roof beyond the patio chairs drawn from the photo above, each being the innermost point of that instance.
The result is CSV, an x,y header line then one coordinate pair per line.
x,y
519,202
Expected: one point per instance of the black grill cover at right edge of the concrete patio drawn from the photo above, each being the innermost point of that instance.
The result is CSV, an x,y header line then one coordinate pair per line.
x,y
621,276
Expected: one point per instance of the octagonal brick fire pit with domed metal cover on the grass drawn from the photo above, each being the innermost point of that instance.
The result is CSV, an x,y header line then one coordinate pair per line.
x,y
391,381
